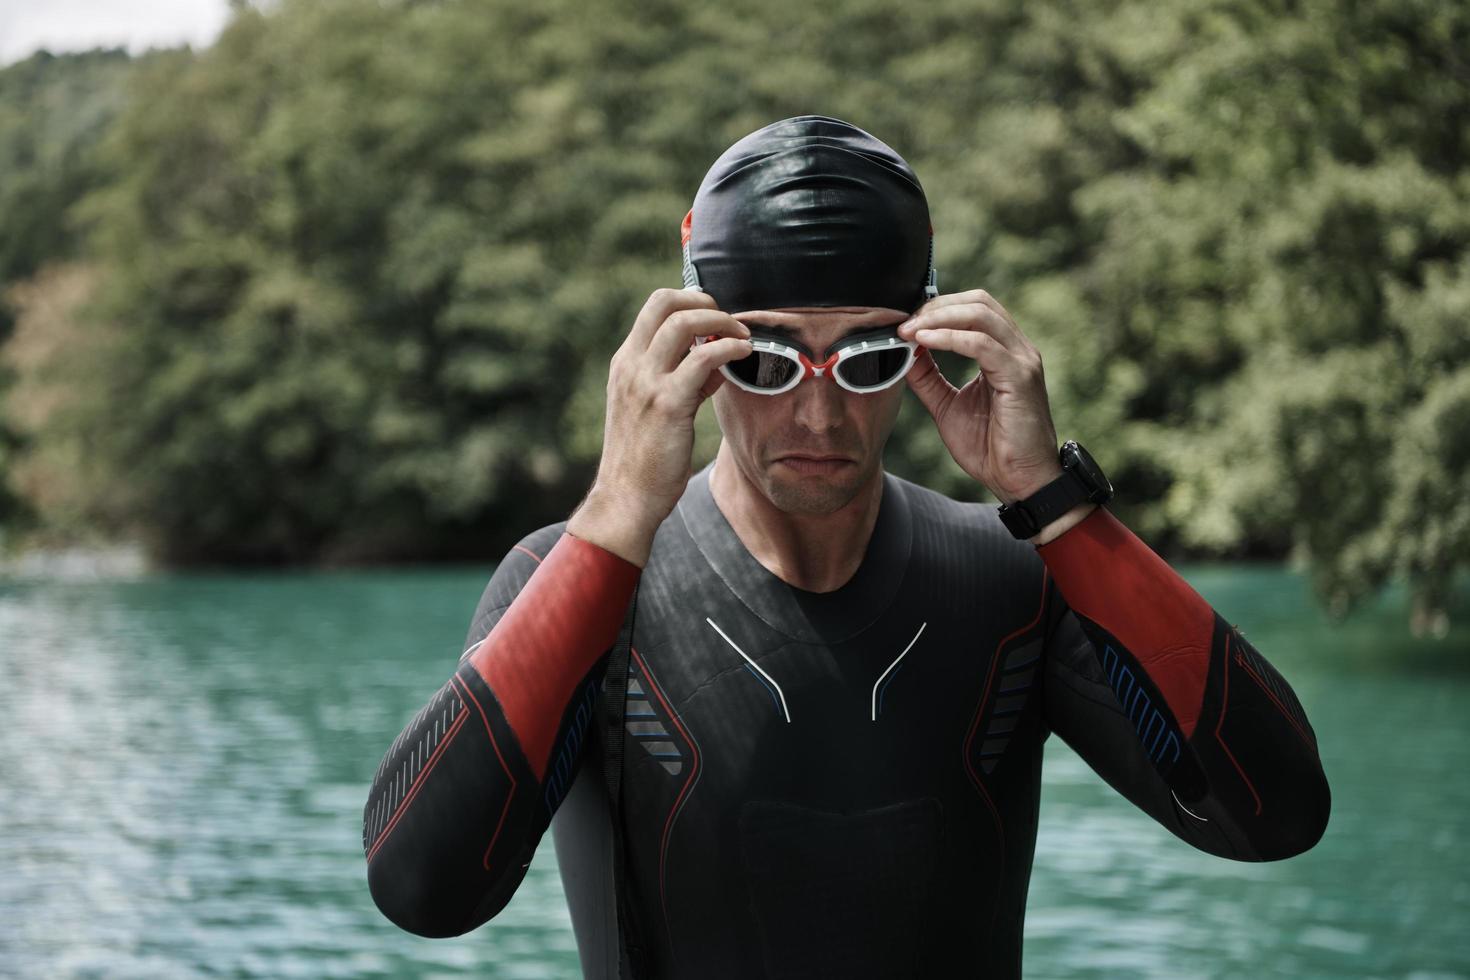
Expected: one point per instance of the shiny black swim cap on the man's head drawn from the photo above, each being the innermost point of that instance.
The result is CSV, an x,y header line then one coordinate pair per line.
x,y
811,211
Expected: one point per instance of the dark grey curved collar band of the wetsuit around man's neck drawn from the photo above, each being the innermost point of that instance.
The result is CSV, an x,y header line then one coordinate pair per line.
x,y
806,616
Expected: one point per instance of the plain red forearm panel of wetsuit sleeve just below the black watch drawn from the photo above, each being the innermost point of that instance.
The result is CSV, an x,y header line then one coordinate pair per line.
x,y
1111,577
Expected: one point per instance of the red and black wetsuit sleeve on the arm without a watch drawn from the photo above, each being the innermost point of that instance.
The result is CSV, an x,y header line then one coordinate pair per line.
x,y
467,791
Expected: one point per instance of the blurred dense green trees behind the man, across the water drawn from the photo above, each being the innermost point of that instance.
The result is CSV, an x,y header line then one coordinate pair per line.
x,y
358,268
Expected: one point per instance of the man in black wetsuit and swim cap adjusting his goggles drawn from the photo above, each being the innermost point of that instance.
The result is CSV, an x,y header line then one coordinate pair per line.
x,y
839,682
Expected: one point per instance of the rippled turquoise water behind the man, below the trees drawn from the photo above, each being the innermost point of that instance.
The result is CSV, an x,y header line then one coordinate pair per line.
x,y
184,763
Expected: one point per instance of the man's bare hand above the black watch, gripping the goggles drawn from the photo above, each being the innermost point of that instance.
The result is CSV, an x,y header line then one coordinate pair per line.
x,y
999,427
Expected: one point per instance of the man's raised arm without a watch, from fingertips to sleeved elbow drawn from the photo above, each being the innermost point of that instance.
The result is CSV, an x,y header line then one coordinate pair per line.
x,y
468,790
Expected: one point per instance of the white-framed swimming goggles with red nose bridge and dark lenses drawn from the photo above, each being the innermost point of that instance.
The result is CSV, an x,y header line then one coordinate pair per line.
x,y
864,364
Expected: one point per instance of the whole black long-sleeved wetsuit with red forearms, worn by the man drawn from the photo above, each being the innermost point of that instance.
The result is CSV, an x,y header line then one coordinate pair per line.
x,y
828,785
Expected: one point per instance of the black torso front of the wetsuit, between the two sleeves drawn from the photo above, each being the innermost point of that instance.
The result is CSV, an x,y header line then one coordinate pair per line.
x,y
864,756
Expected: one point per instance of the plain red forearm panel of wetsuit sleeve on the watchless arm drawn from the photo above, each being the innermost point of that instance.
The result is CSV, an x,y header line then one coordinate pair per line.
x,y
567,616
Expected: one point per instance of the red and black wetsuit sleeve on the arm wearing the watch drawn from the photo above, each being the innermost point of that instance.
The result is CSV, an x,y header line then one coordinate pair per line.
x,y
1172,706
